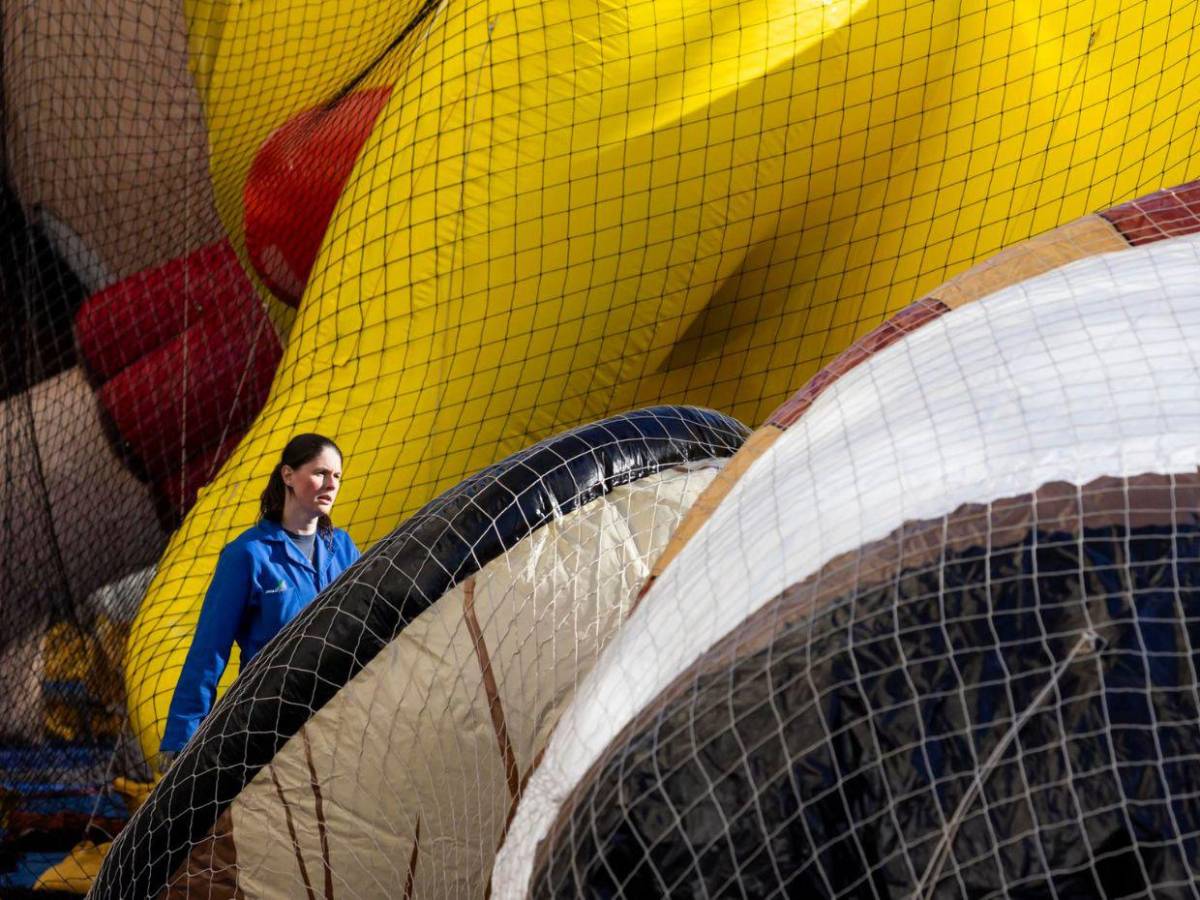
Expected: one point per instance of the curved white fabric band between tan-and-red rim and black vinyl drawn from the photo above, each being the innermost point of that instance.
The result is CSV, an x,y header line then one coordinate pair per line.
x,y
1085,373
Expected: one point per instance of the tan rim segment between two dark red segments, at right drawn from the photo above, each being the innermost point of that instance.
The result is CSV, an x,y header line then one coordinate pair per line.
x,y
1076,241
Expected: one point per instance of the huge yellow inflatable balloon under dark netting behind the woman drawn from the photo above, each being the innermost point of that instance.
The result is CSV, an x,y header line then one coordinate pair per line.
x,y
568,211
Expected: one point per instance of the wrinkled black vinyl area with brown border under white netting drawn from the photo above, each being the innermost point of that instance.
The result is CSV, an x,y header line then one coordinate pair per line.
x,y
1012,711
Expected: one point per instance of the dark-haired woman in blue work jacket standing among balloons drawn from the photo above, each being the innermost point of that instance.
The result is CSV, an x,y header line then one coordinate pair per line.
x,y
263,579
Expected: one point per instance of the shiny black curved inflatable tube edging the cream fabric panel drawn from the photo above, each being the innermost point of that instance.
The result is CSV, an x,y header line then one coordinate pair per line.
x,y
345,628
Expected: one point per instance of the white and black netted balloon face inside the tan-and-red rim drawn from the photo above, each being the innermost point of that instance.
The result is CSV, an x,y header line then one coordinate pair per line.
x,y
957,661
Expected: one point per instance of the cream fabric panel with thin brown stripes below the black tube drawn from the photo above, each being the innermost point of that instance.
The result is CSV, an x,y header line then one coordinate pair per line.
x,y
413,735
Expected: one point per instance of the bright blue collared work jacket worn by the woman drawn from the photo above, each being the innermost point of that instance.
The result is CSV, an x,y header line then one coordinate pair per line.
x,y
261,584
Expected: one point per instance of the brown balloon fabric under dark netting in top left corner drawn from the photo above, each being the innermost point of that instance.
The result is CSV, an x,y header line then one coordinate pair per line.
x,y
105,128
